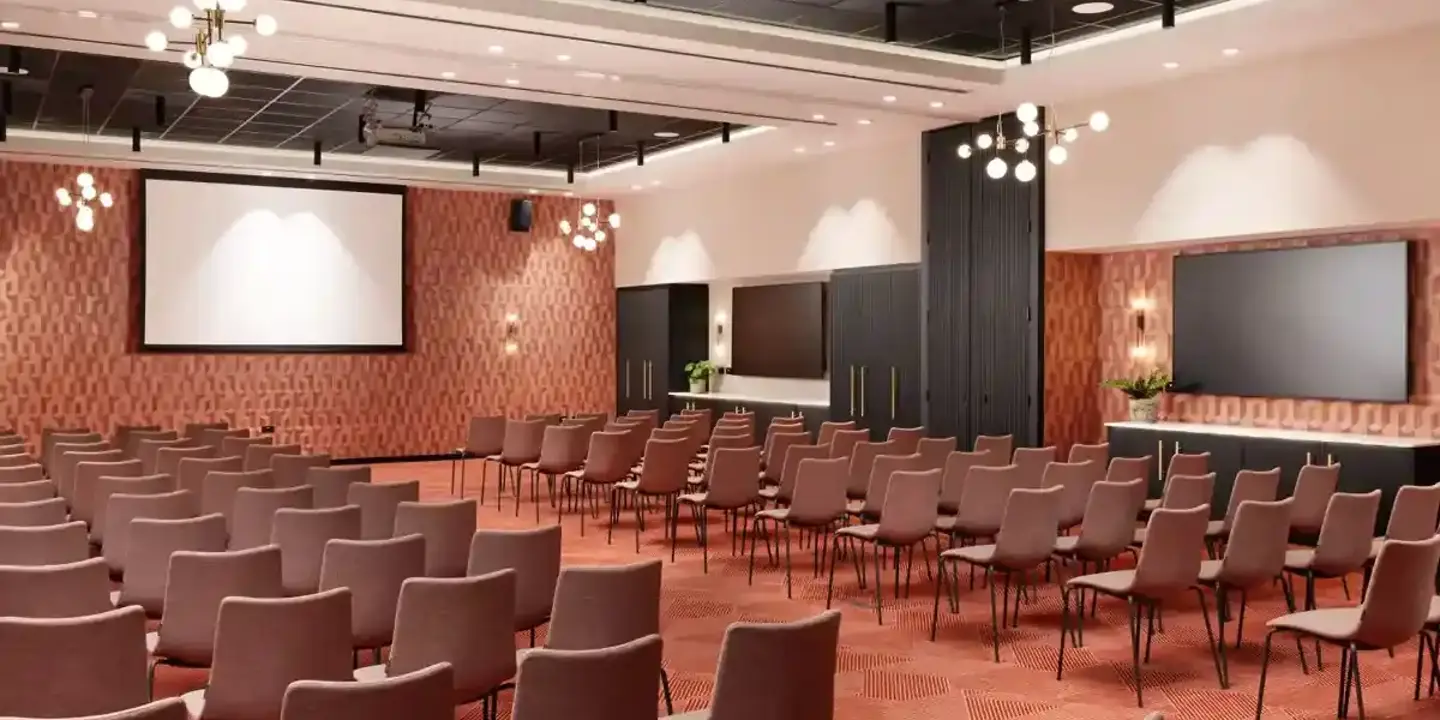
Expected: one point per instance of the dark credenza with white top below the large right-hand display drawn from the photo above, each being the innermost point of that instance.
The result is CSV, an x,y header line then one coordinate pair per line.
x,y
1366,463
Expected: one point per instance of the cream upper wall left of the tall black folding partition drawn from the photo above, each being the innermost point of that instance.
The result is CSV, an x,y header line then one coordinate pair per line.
x,y
845,210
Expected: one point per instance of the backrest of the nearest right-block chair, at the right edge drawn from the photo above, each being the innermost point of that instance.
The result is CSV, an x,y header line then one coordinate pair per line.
x,y
1398,603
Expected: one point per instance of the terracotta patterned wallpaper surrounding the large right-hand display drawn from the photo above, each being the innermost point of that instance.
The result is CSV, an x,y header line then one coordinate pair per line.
x,y
1147,274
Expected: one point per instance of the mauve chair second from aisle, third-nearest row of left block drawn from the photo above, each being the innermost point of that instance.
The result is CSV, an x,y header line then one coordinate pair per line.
x,y
374,571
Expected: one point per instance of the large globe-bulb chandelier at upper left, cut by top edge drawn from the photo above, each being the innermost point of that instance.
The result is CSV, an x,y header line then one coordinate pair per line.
x,y
214,47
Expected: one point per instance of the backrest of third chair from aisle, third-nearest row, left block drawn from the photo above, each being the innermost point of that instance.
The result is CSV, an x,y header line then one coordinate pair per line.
x,y
198,584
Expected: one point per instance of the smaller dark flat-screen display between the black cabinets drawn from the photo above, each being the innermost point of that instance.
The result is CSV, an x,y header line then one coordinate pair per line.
x,y
778,330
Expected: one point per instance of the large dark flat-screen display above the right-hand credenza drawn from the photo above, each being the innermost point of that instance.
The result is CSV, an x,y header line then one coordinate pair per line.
x,y
1323,323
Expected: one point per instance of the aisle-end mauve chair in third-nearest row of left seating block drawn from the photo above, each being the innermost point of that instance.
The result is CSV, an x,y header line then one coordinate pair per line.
x,y
535,557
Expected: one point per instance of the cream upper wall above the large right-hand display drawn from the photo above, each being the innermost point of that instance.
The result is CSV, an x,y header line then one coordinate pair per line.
x,y
1295,146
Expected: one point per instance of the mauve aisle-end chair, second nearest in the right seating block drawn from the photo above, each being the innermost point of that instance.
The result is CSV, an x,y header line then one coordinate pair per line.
x,y
1169,567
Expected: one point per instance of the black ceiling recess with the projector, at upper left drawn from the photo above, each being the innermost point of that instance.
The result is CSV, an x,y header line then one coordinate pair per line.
x,y
277,112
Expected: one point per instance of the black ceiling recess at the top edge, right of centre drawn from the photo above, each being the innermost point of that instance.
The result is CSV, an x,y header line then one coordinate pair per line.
x,y
958,27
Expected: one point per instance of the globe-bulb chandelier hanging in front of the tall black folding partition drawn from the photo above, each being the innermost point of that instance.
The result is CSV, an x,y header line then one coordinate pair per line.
x,y
1035,130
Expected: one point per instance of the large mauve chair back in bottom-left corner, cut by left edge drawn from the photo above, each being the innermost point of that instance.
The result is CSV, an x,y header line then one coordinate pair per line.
x,y
74,667
